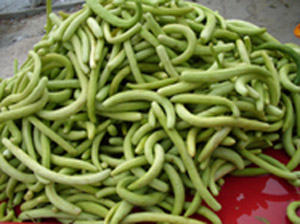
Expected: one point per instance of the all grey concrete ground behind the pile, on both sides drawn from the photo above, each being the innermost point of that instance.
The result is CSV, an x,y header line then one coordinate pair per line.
x,y
17,36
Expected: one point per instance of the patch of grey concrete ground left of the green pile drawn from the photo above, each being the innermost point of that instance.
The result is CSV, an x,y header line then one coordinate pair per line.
x,y
19,35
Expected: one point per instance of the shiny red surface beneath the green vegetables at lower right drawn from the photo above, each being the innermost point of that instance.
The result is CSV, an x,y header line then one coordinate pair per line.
x,y
249,200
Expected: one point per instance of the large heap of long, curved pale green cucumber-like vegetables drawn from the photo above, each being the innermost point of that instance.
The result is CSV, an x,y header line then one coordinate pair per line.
x,y
125,107
